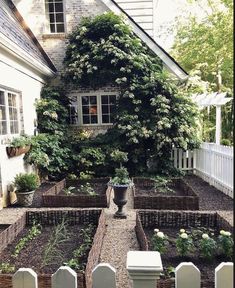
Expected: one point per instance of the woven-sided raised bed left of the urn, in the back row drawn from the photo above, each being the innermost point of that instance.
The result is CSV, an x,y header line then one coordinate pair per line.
x,y
60,194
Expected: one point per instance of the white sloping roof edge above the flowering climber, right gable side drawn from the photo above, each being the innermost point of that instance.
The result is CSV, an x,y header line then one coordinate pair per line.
x,y
168,61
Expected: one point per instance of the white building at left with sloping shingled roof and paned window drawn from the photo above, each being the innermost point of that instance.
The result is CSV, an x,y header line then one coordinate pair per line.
x,y
24,68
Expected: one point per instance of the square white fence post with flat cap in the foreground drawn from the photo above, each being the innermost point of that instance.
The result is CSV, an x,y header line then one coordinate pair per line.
x,y
144,268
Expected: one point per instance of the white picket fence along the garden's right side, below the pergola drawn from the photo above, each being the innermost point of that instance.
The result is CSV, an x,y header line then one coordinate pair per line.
x,y
212,162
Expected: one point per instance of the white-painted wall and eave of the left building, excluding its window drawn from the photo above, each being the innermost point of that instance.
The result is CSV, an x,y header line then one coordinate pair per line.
x,y
17,76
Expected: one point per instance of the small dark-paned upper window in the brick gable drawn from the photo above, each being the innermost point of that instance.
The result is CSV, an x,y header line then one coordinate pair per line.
x,y
55,15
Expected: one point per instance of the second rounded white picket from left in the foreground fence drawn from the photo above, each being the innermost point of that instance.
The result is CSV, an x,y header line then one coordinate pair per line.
x,y
64,277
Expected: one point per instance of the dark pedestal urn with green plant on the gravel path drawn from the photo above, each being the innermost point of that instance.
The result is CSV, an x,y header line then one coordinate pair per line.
x,y
120,184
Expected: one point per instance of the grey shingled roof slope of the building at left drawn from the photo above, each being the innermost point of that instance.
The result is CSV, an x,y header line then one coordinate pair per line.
x,y
14,31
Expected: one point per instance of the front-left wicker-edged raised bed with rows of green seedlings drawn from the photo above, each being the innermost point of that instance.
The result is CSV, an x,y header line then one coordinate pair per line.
x,y
72,225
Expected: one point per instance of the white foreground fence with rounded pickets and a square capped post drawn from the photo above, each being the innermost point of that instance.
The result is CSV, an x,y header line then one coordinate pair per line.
x,y
143,275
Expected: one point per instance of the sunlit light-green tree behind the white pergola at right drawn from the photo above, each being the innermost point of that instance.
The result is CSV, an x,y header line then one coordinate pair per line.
x,y
206,44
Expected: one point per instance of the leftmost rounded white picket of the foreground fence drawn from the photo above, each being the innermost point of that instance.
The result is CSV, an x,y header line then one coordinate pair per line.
x,y
25,278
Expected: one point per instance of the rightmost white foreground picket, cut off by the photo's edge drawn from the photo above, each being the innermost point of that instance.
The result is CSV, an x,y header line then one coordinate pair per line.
x,y
224,275
